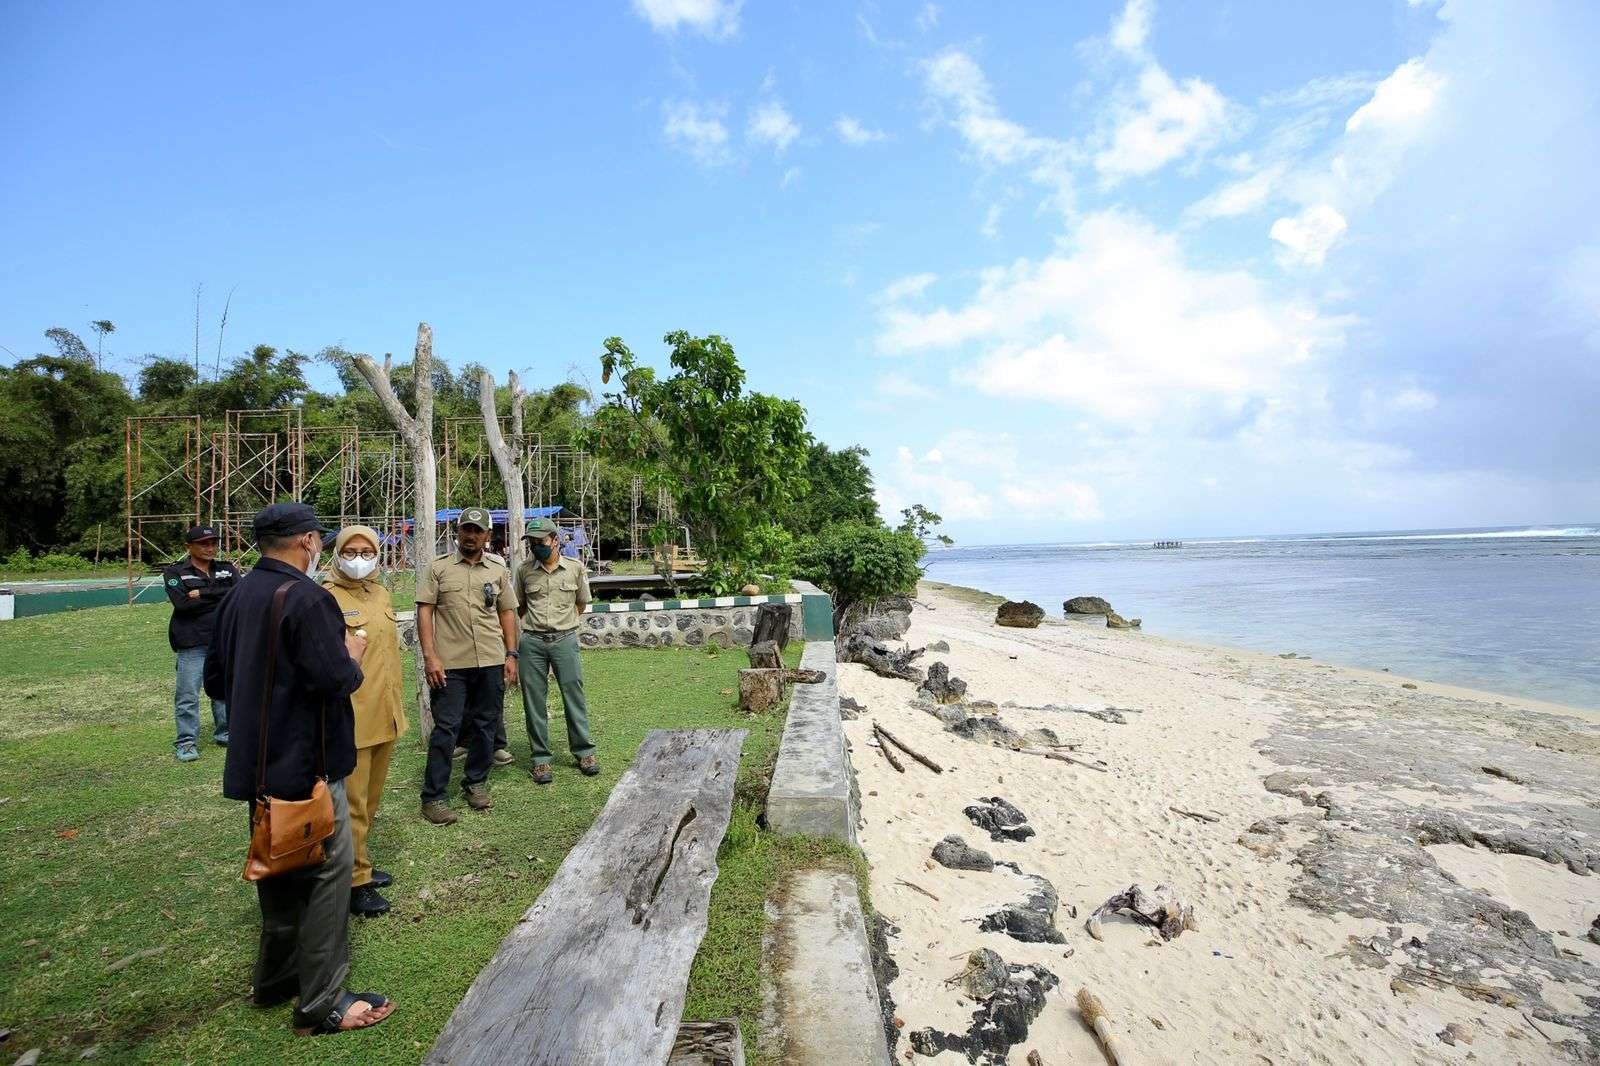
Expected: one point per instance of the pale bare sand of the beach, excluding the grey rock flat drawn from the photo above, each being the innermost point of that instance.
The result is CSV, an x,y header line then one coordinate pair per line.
x,y
1265,979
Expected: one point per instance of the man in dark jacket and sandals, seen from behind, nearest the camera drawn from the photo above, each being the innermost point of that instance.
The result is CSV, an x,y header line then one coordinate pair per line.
x,y
310,732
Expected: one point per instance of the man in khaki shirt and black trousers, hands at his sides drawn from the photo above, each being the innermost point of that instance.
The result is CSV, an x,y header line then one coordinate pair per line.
x,y
466,620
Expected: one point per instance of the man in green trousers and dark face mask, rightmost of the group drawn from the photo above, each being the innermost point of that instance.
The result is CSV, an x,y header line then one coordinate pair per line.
x,y
554,593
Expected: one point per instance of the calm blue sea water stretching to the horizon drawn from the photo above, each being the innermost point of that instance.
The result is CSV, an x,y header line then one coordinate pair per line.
x,y
1508,611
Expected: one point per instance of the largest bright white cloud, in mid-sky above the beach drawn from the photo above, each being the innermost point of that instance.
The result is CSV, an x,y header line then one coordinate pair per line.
x,y
1119,326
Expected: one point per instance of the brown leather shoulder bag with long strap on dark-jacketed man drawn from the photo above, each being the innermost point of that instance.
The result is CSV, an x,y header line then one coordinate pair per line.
x,y
286,835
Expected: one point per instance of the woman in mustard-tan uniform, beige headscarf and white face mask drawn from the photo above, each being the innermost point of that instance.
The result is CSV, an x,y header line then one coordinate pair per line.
x,y
380,713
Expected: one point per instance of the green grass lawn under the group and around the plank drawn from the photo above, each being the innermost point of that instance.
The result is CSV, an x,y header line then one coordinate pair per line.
x,y
124,921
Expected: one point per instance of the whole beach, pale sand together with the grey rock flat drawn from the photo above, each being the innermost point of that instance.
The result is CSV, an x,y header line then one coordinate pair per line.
x,y
1329,934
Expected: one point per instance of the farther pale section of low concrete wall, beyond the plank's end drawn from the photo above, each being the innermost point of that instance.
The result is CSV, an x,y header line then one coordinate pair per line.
x,y
812,790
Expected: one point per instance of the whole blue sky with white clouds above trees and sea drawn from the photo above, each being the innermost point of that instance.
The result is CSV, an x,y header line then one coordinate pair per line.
x,y
1070,271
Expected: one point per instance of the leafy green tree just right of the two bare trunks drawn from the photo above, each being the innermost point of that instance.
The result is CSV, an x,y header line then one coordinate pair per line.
x,y
732,460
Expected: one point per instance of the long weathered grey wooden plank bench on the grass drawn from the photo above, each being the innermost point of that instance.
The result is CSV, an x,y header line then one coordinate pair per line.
x,y
596,971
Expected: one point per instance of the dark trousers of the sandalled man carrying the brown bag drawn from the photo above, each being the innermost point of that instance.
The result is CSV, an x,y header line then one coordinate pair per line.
x,y
305,926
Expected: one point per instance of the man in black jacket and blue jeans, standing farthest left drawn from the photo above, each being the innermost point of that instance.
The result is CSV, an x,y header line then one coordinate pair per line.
x,y
196,588
